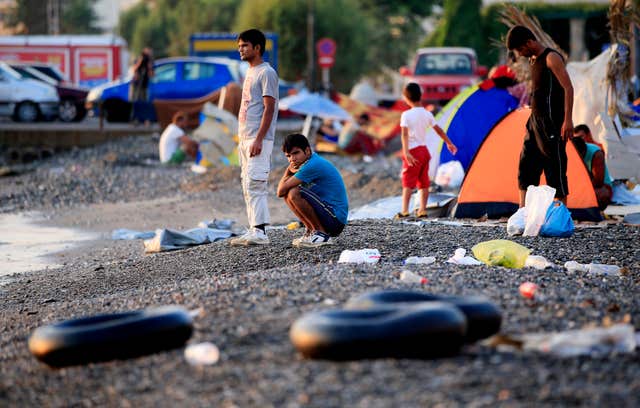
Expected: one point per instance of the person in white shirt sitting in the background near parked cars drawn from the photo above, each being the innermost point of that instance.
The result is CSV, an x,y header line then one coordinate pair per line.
x,y
174,143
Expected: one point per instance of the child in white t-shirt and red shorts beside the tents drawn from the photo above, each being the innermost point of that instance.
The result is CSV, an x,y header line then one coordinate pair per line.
x,y
415,156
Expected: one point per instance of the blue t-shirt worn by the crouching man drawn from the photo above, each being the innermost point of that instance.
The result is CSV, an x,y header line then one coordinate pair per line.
x,y
321,177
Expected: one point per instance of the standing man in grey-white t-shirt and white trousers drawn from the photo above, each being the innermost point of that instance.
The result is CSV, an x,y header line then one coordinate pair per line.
x,y
257,128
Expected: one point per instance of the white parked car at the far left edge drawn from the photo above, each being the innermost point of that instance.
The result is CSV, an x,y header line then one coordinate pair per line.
x,y
26,100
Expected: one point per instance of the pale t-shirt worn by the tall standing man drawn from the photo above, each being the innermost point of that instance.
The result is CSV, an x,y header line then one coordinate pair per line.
x,y
260,81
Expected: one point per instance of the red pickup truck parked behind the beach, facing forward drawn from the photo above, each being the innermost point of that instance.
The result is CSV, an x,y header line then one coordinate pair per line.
x,y
442,72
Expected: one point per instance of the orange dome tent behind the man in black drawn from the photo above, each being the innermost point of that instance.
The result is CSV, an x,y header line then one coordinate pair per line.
x,y
490,186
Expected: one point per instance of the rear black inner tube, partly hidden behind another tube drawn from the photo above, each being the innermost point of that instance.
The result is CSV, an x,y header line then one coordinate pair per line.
x,y
483,317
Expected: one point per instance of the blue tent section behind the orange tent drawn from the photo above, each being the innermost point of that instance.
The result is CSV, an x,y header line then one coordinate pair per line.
x,y
473,121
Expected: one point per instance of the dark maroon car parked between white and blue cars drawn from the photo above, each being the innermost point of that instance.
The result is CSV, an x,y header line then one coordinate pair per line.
x,y
72,98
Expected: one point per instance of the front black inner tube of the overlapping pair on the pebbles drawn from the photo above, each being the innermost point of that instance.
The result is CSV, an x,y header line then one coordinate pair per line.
x,y
424,330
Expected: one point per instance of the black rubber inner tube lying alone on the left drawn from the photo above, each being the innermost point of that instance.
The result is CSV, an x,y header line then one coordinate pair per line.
x,y
111,336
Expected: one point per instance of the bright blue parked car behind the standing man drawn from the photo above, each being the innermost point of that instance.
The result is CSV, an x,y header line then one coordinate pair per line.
x,y
174,78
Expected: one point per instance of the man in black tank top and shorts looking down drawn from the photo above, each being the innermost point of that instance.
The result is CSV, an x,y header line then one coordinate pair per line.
x,y
550,124
